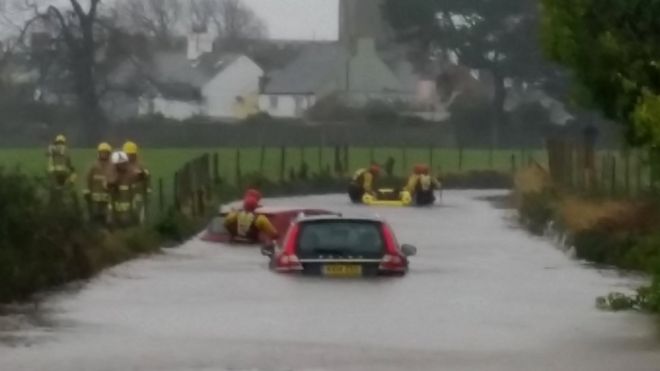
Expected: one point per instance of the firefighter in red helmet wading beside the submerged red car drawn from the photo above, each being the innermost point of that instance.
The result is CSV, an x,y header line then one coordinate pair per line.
x,y
246,225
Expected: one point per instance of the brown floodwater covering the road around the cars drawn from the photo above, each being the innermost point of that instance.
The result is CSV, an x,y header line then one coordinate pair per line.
x,y
481,295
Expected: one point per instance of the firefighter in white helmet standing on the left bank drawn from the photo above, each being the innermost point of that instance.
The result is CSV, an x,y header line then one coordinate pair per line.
x,y
122,192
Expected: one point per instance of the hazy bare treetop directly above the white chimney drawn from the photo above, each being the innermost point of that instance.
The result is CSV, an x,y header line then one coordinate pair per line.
x,y
232,20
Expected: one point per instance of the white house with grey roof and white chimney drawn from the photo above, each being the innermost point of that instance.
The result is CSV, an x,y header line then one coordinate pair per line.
x,y
214,84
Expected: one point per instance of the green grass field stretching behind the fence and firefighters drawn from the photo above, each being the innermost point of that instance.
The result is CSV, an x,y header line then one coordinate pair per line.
x,y
163,163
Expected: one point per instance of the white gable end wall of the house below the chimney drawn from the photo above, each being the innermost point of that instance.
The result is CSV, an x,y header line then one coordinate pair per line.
x,y
241,78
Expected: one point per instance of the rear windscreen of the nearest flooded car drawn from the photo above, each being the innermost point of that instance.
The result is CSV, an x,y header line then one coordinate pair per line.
x,y
358,238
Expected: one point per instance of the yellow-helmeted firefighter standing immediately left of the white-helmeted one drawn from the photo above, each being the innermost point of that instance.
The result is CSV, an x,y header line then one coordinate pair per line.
x,y
96,193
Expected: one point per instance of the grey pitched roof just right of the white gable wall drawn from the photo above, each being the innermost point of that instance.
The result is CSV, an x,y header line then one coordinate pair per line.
x,y
307,73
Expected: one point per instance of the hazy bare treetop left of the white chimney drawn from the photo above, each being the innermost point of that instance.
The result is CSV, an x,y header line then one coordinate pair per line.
x,y
160,19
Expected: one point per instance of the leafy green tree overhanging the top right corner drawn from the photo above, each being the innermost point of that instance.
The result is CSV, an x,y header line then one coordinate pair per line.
x,y
612,49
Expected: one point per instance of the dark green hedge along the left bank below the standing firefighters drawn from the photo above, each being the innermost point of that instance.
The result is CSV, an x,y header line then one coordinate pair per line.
x,y
44,243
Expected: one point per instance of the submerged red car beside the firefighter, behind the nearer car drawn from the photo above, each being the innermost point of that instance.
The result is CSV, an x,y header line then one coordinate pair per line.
x,y
280,217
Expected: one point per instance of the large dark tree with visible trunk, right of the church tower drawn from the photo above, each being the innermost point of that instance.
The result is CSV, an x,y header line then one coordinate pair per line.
x,y
497,37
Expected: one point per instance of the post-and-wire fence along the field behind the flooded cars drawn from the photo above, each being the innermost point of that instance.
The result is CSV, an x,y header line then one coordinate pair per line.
x,y
190,188
